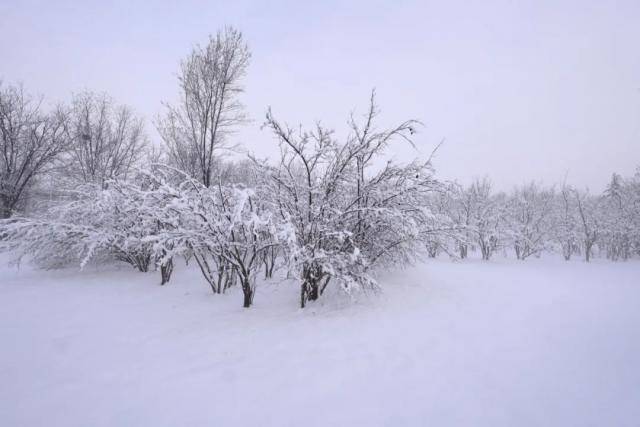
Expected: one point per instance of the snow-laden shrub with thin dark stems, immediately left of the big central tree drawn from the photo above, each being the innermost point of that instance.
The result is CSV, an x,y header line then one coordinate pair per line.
x,y
224,228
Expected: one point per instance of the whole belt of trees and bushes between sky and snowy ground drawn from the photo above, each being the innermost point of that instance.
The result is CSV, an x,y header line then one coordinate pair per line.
x,y
329,211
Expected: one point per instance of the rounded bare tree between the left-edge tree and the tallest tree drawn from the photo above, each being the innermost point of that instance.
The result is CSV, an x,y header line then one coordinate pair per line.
x,y
107,139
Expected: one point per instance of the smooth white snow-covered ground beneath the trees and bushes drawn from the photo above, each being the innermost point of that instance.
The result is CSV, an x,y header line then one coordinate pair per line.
x,y
504,343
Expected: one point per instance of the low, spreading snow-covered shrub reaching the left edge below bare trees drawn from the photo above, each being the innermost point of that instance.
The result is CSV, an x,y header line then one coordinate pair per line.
x,y
105,222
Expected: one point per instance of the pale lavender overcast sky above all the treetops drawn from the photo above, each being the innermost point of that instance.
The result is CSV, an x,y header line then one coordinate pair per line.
x,y
520,90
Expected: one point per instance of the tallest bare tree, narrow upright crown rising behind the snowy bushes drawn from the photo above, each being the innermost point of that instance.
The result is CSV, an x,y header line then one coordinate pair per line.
x,y
209,109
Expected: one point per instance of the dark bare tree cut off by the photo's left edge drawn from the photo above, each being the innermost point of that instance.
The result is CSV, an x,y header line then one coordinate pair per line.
x,y
30,141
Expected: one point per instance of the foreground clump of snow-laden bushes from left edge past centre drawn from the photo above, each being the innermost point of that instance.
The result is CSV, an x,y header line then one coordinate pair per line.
x,y
324,212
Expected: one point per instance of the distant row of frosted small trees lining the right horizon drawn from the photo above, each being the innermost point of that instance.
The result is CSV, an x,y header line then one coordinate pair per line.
x,y
532,219
